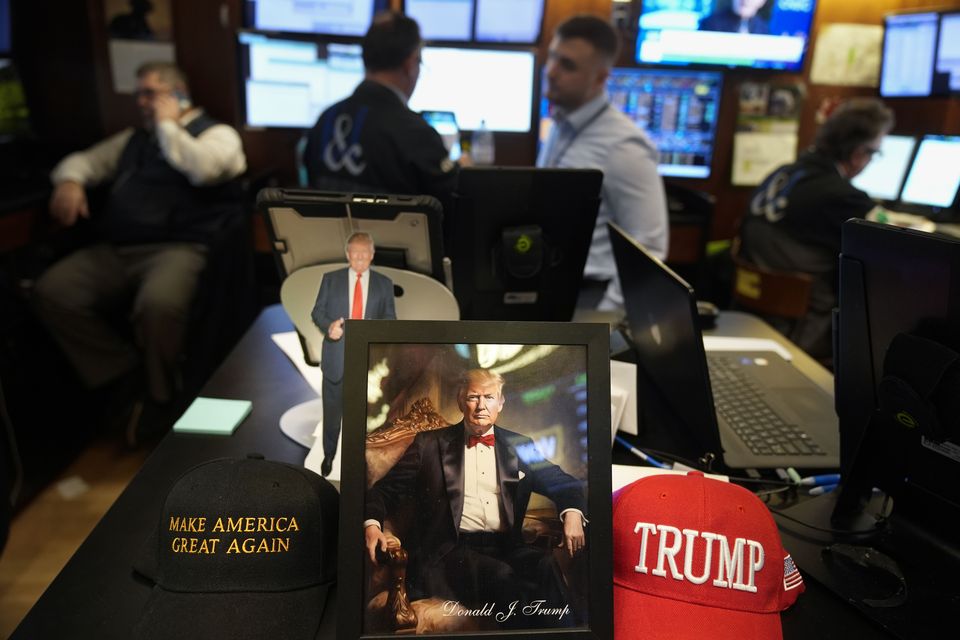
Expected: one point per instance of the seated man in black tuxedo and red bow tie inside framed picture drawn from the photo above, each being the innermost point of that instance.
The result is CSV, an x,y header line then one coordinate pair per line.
x,y
471,484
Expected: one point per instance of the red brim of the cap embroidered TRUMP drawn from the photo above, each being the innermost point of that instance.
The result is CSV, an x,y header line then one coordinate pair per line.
x,y
653,618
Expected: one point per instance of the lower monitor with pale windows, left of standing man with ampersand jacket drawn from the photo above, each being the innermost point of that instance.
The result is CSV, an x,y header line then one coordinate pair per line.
x,y
289,82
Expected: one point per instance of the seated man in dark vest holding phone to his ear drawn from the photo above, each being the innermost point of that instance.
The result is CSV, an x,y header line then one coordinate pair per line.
x,y
171,190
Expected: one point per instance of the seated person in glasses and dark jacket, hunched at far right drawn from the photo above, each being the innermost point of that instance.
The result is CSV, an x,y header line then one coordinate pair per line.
x,y
794,219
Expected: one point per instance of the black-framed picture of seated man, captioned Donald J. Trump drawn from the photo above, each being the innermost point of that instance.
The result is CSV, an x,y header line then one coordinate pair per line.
x,y
475,493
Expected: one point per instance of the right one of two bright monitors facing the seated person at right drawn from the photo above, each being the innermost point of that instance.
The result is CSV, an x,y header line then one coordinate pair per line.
x,y
934,176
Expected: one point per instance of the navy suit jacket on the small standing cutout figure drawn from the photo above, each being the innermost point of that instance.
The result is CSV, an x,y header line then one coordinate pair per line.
x,y
333,302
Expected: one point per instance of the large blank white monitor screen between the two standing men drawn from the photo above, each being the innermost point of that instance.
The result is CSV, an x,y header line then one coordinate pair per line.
x,y
490,85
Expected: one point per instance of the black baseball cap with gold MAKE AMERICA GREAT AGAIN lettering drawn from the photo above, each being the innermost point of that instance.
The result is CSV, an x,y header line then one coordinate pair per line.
x,y
245,548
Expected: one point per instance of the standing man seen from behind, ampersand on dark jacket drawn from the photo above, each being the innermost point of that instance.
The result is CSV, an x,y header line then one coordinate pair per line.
x,y
372,140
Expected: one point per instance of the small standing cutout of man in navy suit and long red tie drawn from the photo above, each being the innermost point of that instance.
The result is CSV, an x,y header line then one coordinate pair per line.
x,y
355,292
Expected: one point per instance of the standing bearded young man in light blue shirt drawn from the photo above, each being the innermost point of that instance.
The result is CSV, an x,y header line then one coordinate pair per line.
x,y
589,133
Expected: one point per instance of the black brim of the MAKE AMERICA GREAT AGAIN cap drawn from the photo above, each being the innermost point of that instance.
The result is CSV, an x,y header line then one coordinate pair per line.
x,y
240,616
